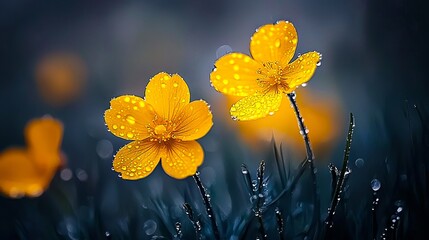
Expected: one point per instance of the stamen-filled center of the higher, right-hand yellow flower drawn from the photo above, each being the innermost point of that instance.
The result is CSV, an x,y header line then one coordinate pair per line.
x,y
272,77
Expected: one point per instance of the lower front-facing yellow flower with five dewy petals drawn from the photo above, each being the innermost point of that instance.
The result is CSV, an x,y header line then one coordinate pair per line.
x,y
164,126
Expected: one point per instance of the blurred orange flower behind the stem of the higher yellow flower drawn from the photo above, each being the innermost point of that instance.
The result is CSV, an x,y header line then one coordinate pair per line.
x,y
320,114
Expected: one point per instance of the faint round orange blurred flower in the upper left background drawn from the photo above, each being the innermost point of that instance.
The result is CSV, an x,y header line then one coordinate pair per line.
x,y
60,78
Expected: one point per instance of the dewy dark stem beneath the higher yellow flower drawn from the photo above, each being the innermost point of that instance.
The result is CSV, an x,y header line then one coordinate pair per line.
x,y
310,157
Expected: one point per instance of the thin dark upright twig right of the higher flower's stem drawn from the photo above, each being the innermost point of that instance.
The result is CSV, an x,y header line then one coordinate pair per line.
x,y
341,177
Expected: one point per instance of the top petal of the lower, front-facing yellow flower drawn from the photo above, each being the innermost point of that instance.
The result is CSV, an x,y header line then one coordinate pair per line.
x,y
167,94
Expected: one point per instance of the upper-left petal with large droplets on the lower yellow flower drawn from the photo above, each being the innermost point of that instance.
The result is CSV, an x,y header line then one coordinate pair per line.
x,y
128,117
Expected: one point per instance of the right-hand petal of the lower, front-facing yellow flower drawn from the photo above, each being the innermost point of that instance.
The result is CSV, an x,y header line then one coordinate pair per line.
x,y
194,121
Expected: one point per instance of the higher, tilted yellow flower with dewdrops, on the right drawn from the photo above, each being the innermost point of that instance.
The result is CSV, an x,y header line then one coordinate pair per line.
x,y
265,77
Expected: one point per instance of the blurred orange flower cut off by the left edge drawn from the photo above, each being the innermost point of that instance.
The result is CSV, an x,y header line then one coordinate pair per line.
x,y
28,171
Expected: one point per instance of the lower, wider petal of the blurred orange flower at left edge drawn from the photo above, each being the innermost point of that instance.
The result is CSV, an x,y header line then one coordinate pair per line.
x,y
19,176
